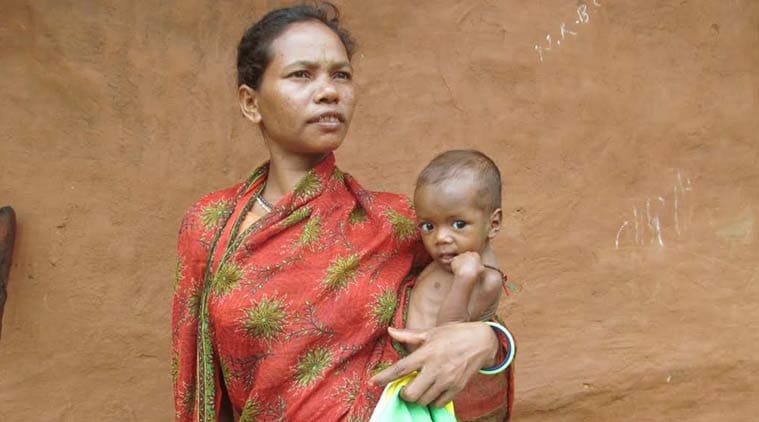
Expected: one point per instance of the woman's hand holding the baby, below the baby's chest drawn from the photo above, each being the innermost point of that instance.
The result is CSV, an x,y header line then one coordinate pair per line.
x,y
446,358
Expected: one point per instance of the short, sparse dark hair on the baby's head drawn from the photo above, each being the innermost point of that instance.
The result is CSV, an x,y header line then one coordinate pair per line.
x,y
462,163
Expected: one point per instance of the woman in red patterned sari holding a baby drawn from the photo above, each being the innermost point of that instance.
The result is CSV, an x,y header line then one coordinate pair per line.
x,y
286,283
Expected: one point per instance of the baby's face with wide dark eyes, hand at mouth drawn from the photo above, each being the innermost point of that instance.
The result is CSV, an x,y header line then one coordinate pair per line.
x,y
451,220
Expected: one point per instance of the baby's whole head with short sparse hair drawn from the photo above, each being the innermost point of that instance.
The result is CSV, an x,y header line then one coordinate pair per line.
x,y
458,204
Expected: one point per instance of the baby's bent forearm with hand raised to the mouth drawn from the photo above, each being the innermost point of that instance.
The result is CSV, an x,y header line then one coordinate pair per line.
x,y
467,270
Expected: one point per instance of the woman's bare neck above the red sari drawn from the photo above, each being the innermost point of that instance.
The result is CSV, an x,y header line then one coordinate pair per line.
x,y
285,170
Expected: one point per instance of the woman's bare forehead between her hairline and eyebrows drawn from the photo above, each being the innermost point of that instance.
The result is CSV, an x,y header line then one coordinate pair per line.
x,y
310,42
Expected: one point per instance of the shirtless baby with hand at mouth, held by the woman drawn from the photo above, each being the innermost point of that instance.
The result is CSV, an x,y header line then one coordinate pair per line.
x,y
458,207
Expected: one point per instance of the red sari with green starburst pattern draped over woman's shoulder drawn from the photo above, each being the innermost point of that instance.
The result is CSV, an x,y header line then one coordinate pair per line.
x,y
288,319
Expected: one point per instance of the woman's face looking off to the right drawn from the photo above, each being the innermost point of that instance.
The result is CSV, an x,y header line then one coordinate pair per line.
x,y
306,96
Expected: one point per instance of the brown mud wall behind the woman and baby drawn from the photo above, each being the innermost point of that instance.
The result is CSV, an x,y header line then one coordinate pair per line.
x,y
628,141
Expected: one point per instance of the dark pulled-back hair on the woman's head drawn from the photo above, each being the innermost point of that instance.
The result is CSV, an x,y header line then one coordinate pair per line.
x,y
253,53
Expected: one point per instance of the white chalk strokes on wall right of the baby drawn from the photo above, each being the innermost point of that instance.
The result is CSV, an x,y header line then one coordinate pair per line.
x,y
650,218
